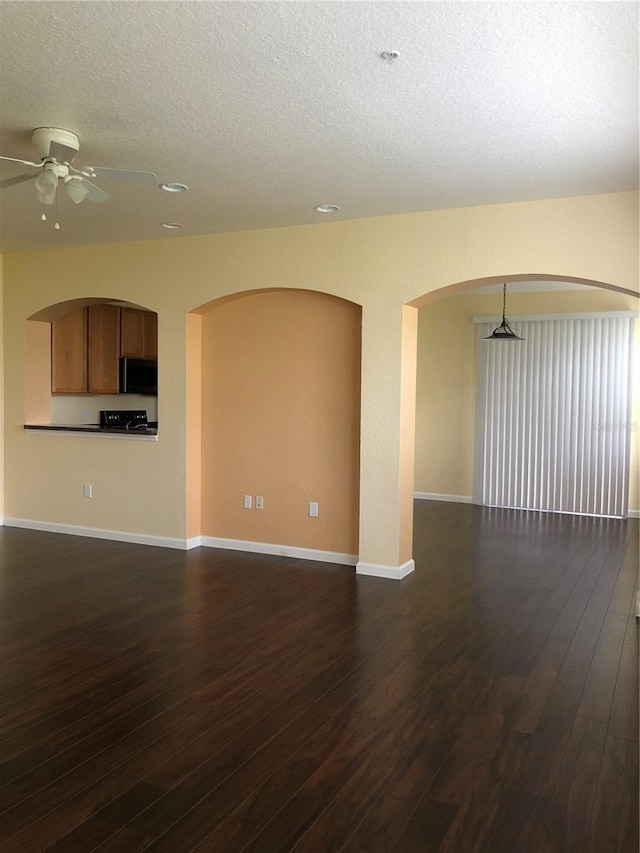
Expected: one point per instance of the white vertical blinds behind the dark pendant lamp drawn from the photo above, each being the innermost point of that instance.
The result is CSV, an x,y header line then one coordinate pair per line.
x,y
553,416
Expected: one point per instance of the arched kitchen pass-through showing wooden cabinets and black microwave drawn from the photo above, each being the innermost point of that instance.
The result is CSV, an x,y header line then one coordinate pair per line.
x,y
84,356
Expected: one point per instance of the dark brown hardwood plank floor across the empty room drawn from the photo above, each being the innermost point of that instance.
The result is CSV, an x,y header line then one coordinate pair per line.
x,y
219,701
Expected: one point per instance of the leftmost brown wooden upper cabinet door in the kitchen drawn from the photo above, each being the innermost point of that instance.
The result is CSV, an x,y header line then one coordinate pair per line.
x,y
69,353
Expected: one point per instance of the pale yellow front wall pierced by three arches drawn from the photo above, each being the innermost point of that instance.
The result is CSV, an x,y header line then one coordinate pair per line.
x,y
380,264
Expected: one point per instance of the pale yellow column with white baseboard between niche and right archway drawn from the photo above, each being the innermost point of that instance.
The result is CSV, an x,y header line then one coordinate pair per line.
x,y
387,439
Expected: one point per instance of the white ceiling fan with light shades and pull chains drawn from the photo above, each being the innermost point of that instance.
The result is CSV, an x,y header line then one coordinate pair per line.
x,y
57,150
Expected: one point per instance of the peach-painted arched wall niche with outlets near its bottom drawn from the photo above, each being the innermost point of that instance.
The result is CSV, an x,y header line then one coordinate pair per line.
x,y
273,423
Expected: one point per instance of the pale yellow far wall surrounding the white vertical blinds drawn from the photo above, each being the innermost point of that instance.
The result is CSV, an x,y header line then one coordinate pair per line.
x,y
446,371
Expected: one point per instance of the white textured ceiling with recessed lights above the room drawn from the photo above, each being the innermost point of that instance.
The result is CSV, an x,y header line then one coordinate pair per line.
x,y
267,109
